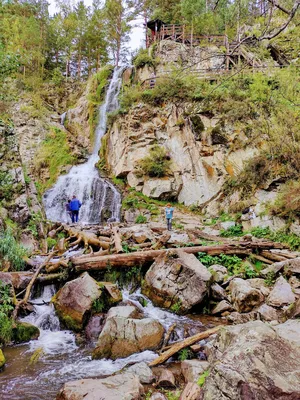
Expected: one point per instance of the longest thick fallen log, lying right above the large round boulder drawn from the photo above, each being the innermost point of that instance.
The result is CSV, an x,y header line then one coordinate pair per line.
x,y
143,257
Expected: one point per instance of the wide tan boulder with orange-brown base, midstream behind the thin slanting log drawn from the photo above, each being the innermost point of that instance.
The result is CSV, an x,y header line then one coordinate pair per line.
x,y
123,336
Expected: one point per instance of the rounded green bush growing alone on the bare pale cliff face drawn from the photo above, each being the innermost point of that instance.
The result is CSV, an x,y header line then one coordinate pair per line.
x,y
156,164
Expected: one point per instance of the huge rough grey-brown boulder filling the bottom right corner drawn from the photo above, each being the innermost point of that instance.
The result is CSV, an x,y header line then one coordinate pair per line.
x,y
252,361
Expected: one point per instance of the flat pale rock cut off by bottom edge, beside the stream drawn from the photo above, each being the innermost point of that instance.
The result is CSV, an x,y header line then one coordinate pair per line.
x,y
119,387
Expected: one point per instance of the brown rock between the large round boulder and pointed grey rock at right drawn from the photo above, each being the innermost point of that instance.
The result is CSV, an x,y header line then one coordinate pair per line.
x,y
244,296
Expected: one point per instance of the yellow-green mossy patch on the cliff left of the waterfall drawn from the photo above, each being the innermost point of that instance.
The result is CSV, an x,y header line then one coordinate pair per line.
x,y
53,154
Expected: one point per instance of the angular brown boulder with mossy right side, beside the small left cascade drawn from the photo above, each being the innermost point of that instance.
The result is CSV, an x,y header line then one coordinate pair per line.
x,y
74,301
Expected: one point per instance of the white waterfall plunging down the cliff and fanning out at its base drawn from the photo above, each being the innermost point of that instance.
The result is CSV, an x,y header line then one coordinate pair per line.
x,y
97,194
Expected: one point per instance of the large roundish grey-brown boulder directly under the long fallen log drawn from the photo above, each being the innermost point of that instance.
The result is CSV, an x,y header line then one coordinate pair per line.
x,y
177,279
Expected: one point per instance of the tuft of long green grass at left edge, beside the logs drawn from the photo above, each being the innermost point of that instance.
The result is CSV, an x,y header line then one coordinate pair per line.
x,y
11,251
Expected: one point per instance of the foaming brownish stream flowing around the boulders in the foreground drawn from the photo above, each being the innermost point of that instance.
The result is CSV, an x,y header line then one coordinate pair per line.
x,y
62,360
